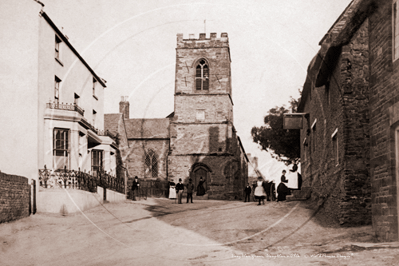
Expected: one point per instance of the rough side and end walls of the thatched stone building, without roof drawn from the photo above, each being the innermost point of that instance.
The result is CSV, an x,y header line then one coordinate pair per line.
x,y
335,141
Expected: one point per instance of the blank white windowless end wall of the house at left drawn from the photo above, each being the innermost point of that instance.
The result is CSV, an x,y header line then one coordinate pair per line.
x,y
18,87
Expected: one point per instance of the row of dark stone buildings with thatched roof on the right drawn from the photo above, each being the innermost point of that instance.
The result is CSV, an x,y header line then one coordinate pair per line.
x,y
349,141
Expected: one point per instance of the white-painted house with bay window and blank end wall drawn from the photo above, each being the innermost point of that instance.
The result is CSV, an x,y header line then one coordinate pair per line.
x,y
34,57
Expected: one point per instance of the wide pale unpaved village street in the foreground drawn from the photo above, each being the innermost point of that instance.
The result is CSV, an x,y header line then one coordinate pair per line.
x,y
160,232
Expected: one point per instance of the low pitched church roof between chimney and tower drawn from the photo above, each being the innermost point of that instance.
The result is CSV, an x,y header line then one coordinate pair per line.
x,y
154,128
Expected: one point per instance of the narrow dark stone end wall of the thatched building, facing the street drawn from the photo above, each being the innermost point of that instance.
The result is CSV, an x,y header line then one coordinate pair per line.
x,y
356,202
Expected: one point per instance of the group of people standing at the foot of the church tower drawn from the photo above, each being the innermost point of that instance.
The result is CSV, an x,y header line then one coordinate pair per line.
x,y
176,190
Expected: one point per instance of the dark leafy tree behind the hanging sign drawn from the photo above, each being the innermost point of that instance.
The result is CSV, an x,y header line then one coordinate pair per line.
x,y
283,144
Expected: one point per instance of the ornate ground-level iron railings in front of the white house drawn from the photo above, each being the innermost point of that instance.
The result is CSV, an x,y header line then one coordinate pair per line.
x,y
76,179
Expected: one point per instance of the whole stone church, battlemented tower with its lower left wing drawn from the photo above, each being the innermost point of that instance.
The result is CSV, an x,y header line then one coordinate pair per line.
x,y
198,139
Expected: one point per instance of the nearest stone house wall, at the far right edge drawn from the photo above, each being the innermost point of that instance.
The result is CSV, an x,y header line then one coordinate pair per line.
x,y
384,122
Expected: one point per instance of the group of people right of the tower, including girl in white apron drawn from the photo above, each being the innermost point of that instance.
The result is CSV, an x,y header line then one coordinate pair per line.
x,y
266,190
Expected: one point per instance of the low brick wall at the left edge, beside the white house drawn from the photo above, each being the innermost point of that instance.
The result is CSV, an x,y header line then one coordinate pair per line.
x,y
14,197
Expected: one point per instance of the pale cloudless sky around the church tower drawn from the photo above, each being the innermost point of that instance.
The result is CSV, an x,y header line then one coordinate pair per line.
x,y
131,44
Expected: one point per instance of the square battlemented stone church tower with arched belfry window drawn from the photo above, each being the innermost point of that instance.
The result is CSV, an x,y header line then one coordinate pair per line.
x,y
202,136
